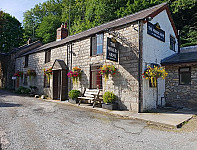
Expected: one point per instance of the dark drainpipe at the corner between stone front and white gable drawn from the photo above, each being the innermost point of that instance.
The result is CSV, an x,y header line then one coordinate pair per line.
x,y
140,32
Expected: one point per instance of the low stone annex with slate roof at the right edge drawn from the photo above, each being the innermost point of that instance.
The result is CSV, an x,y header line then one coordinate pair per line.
x,y
181,83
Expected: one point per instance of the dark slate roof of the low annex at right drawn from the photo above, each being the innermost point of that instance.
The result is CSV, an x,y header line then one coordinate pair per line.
x,y
180,58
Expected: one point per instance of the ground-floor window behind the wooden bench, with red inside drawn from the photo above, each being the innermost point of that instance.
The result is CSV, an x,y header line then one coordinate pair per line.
x,y
95,78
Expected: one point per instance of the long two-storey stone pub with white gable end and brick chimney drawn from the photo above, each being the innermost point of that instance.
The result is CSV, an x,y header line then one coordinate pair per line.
x,y
129,43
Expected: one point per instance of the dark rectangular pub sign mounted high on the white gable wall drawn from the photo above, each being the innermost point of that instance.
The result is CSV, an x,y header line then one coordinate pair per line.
x,y
155,31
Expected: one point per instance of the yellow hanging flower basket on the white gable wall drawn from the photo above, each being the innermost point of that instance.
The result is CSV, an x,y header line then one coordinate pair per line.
x,y
153,73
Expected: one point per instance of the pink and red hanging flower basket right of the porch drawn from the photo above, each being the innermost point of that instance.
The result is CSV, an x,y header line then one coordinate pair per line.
x,y
75,74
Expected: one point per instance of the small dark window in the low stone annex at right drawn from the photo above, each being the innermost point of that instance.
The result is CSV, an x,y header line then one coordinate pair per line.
x,y
185,76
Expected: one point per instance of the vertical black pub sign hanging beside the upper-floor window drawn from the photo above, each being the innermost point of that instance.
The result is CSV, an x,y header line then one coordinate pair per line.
x,y
112,50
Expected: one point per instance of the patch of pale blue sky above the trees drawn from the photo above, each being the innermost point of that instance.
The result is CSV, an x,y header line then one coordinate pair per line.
x,y
16,8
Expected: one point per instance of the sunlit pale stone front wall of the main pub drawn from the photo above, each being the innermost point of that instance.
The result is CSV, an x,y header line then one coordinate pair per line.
x,y
124,84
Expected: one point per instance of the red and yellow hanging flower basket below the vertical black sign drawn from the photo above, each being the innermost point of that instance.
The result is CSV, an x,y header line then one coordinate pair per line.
x,y
108,69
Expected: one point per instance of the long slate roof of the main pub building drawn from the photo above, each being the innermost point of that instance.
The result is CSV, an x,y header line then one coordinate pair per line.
x,y
112,24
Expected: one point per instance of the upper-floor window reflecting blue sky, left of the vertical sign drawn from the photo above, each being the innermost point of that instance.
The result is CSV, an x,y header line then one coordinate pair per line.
x,y
96,44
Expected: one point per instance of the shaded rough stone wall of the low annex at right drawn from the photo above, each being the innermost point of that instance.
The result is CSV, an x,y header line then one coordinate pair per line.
x,y
181,95
